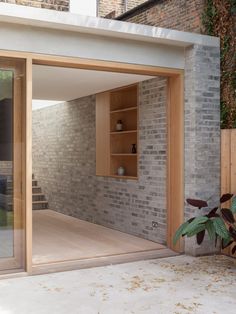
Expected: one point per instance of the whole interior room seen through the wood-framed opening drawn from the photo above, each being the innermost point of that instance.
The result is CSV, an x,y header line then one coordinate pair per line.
x,y
99,164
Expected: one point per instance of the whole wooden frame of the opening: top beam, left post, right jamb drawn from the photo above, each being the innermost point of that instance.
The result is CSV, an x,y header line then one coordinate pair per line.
x,y
175,139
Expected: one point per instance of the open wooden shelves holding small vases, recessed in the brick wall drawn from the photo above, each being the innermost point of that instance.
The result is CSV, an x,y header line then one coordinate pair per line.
x,y
124,107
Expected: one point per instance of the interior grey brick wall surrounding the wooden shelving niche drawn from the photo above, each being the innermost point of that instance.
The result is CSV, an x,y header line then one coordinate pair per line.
x,y
64,163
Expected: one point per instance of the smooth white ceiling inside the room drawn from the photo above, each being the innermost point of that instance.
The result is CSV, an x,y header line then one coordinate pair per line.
x,y
63,84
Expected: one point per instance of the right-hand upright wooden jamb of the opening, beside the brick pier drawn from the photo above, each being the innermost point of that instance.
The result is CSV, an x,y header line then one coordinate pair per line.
x,y
175,159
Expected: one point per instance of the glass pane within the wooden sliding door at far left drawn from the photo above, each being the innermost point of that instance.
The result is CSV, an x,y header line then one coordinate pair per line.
x,y
6,164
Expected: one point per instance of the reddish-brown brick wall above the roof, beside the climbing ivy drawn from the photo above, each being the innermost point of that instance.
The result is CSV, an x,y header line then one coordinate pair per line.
x,y
184,15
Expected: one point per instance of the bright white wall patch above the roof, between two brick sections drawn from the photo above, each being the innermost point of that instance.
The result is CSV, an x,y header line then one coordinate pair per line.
x,y
88,7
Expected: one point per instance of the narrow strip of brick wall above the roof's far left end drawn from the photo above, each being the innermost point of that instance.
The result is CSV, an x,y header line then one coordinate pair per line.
x,y
59,5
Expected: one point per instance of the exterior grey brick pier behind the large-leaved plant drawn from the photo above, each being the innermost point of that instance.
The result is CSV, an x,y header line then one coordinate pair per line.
x,y
202,133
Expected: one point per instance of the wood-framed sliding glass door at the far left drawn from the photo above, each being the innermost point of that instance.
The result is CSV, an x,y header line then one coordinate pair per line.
x,y
12,211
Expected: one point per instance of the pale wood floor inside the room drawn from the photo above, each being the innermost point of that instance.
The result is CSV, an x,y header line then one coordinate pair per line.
x,y
57,237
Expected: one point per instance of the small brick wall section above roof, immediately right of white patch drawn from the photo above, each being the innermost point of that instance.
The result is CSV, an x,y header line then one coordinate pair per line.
x,y
107,6
